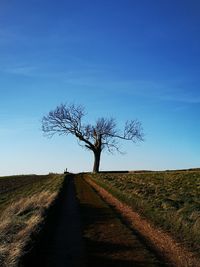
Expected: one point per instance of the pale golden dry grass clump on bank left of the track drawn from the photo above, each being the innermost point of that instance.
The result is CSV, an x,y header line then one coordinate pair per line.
x,y
17,223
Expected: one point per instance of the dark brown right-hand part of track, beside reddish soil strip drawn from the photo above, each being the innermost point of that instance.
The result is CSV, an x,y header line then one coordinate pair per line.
x,y
108,241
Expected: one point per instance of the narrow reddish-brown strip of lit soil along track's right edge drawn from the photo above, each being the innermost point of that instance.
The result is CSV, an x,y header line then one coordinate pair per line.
x,y
163,243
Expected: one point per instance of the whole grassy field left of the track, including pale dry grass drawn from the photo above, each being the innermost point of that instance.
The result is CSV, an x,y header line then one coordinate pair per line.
x,y
23,201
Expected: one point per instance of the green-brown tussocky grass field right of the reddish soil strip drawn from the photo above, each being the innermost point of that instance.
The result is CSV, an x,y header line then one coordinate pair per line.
x,y
171,200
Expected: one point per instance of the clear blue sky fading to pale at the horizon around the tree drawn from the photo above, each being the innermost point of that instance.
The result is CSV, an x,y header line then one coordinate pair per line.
x,y
127,59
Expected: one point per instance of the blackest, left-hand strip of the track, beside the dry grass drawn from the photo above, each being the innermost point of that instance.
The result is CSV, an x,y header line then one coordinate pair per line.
x,y
61,244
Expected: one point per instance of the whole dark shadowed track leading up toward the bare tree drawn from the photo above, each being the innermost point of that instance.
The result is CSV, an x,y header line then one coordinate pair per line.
x,y
102,240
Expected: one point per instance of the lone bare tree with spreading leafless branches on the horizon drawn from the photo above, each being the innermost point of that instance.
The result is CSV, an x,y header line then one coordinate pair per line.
x,y
103,135
